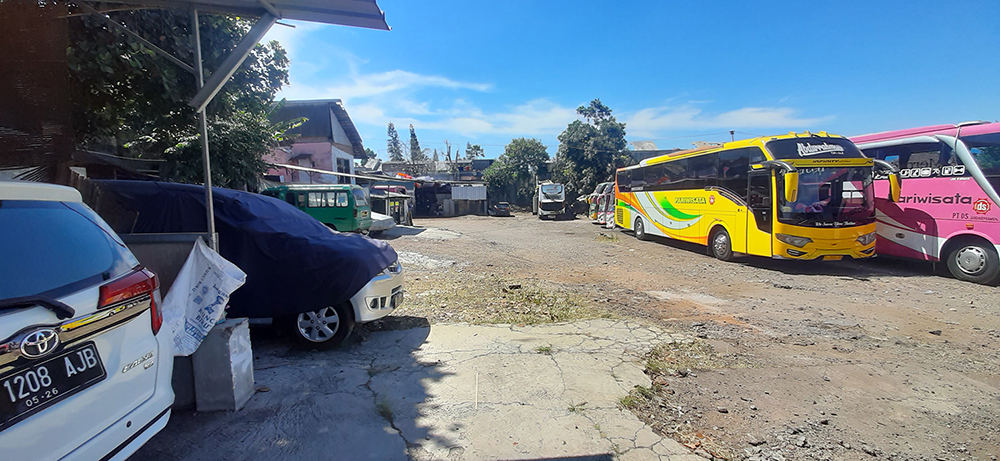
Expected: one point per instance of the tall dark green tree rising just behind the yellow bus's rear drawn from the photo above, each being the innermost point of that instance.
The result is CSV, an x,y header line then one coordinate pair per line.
x,y
590,150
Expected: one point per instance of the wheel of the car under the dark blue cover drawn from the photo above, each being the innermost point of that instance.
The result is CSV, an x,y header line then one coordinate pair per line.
x,y
323,329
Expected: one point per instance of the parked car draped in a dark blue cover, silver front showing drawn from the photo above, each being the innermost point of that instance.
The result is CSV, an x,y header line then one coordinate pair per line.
x,y
314,282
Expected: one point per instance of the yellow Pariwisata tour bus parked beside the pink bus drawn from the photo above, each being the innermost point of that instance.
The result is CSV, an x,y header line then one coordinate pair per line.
x,y
795,196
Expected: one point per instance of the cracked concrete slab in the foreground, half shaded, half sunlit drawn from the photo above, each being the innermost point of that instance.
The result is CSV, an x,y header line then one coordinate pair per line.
x,y
441,392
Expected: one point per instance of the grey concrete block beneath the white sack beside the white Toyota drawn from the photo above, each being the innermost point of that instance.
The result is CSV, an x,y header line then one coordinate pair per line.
x,y
223,367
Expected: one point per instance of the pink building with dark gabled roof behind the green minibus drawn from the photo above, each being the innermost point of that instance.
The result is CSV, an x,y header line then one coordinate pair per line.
x,y
327,141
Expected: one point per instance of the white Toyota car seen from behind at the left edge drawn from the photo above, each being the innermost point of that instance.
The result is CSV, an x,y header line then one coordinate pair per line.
x,y
83,373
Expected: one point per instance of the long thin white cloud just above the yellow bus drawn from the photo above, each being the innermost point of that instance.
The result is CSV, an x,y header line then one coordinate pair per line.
x,y
651,121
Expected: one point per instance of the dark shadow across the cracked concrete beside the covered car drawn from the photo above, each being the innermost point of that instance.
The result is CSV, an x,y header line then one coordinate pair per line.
x,y
351,403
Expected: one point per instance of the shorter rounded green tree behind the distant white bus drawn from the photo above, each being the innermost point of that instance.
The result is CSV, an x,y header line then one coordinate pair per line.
x,y
510,177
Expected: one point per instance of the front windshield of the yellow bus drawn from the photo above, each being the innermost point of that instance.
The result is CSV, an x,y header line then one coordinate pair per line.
x,y
830,197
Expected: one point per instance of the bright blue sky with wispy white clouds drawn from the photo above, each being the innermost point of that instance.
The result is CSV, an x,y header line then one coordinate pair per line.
x,y
674,72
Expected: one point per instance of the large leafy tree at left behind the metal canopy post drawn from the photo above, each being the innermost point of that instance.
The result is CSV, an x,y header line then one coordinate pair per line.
x,y
129,100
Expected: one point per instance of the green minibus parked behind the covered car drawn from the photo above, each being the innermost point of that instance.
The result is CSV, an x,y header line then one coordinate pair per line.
x,y
342,207
